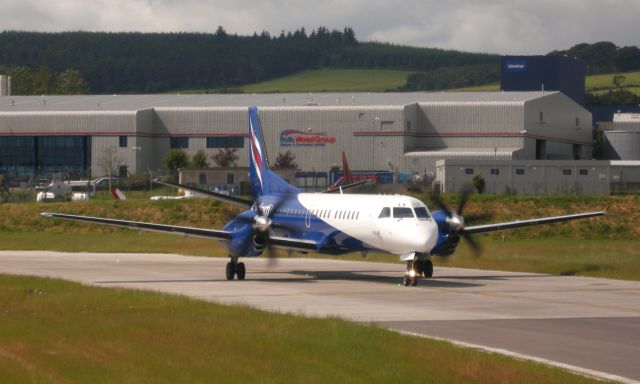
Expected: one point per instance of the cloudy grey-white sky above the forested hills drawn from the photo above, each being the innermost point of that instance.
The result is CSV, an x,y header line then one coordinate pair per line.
x,y
496,26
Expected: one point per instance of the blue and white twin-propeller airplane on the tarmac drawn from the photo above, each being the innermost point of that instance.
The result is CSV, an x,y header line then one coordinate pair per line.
x,y
280,215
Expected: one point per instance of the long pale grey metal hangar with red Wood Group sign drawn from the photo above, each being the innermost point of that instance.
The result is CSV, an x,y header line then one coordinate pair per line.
x,y
397,132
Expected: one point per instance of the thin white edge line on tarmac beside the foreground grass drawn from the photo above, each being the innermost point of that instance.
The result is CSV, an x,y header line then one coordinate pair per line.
x,y
573,368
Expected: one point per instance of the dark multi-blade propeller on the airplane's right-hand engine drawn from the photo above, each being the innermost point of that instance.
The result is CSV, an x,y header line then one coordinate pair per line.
x,y
454,223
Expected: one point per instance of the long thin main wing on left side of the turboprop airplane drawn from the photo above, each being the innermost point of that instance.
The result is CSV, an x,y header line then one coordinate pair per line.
x,y
178,230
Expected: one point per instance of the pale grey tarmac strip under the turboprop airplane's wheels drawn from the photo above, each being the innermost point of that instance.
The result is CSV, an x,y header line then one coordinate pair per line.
x,y
588,324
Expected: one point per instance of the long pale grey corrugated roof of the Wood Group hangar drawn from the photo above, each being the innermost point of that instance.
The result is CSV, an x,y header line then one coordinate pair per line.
x,y
138,102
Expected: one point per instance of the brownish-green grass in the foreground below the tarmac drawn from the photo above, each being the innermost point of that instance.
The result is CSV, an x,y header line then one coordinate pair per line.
x,y
56,331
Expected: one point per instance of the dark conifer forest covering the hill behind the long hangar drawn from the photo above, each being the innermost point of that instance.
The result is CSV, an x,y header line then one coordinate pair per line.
x,y
157,62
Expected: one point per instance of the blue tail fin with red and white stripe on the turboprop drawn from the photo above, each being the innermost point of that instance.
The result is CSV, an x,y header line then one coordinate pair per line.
x,y
261,178
